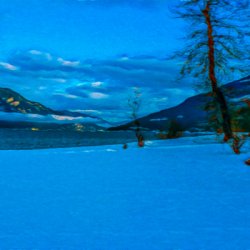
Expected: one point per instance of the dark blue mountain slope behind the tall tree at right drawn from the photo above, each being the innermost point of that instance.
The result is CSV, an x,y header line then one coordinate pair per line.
x,y
191,114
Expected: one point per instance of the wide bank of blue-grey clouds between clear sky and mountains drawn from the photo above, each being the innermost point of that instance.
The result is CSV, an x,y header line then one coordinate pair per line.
x,y
103,85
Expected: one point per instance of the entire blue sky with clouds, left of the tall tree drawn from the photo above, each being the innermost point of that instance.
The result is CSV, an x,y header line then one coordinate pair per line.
x,y
90,55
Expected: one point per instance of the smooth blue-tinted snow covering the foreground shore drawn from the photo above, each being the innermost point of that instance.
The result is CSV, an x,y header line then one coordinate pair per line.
x,y
189,193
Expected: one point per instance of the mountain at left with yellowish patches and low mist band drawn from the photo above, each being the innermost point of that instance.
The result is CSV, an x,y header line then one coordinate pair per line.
x,y
26,112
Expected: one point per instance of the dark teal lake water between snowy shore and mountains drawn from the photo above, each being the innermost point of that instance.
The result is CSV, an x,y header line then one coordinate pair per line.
x,y
14,139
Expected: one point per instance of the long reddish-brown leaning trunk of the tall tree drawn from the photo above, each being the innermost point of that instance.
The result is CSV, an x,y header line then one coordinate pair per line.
x,y
219,96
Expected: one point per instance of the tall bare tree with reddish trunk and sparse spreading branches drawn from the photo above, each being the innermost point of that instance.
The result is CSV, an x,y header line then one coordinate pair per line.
x,y
216,45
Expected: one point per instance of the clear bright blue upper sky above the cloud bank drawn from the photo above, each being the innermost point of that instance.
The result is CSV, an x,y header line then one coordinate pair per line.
x,y
88,28
